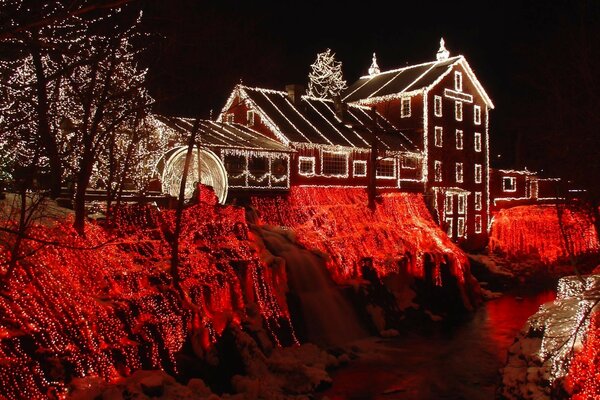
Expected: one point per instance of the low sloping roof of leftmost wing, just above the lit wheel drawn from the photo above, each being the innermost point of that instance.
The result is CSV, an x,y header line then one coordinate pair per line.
x,y
217,134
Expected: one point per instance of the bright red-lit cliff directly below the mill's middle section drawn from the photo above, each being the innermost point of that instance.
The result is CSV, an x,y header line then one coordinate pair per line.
x,y
338,222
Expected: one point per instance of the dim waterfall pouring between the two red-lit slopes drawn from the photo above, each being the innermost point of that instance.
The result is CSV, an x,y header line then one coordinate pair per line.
x,y
329,317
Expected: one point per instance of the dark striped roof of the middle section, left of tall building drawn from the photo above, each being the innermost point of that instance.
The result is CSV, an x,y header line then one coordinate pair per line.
x,y
315,121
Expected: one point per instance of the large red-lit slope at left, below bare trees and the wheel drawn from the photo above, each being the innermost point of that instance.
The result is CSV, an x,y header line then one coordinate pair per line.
x,y
112,309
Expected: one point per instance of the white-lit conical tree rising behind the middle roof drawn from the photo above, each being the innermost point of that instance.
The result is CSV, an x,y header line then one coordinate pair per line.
x,y
326,78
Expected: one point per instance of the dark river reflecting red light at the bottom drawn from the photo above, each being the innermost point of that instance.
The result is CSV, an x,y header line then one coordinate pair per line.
x,y
446,361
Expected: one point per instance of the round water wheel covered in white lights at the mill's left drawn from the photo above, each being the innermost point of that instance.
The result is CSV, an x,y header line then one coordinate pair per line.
x,y
204,164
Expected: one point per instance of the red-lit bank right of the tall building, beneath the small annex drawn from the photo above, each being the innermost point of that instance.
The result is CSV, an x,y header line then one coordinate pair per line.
x,y
534,230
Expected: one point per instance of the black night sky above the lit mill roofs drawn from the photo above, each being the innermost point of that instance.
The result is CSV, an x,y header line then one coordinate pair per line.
x,y
203,48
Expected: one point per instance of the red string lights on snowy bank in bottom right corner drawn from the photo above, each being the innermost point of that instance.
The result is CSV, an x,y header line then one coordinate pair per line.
x,y
583,380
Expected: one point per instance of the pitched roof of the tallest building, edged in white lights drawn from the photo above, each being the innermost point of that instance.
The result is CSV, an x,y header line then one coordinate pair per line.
x,y
408,80
